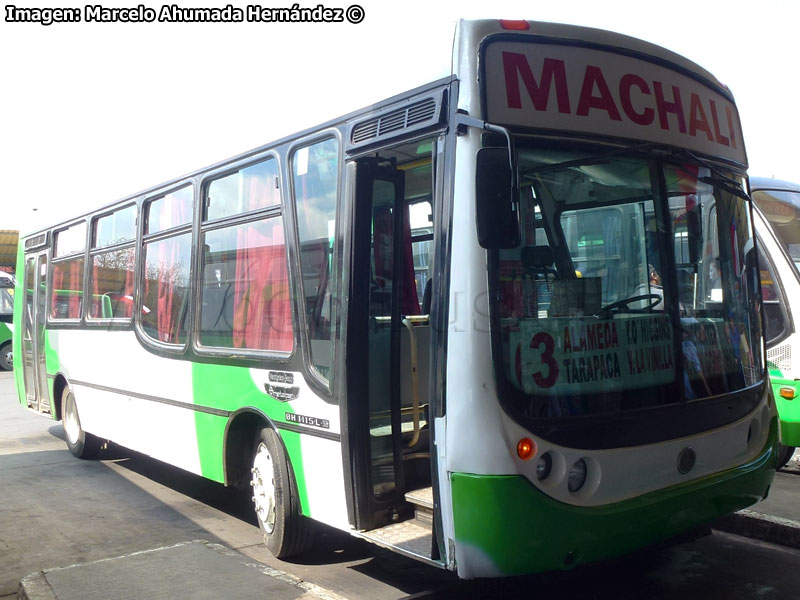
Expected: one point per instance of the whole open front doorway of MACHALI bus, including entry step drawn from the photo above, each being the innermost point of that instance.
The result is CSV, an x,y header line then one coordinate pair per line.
x,y
389,440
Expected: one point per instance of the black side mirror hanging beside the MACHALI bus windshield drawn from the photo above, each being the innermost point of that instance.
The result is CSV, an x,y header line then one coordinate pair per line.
x,y
496,200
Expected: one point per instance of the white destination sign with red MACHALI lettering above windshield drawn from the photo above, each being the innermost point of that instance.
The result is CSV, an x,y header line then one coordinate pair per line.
x,y
583,90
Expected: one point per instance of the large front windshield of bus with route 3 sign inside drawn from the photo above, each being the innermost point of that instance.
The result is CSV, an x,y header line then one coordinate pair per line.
x,y
631,288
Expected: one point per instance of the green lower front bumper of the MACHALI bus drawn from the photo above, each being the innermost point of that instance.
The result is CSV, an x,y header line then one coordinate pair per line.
x,y
507,521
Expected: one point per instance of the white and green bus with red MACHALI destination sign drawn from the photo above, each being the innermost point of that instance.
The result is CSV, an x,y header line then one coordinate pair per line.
x,y
562,390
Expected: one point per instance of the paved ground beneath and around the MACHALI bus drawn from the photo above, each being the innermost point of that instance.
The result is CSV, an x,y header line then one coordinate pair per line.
x,y
57,511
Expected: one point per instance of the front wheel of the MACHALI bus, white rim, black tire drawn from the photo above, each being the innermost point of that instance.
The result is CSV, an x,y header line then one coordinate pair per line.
x,y
286,531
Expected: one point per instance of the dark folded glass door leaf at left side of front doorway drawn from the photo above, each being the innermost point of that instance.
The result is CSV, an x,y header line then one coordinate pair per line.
x,y
374,329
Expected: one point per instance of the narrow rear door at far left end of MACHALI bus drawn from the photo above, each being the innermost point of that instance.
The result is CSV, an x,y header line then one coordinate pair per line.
x,y
33,333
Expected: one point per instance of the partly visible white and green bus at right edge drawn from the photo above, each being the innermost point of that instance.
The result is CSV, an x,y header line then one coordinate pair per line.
x,y
778,230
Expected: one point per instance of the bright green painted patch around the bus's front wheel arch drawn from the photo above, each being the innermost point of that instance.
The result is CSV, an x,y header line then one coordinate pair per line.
x,y
232,388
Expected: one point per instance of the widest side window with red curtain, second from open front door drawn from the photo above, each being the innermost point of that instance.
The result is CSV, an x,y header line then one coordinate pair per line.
x,y
245,298
